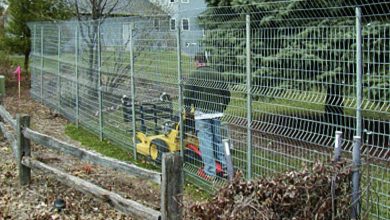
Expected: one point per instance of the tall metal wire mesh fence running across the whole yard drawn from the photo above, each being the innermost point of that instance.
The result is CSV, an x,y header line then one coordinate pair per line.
x,y
302,82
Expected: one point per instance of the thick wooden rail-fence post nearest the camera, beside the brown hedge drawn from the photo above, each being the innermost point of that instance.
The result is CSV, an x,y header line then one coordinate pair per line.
x,y
172,187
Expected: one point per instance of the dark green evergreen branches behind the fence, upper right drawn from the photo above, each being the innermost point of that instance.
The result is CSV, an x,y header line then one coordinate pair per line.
x,y
298,44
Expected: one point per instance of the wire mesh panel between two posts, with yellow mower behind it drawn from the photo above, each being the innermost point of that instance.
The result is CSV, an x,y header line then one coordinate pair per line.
x,y
156,88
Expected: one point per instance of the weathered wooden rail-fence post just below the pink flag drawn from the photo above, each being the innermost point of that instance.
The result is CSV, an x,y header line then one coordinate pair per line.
x,y
23,148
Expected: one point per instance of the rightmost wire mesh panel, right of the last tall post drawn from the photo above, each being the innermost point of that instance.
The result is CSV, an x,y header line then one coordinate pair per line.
x,y
376,115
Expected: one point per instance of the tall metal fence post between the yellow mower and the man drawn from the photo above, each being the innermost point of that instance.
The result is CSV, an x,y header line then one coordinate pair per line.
x,y
179,78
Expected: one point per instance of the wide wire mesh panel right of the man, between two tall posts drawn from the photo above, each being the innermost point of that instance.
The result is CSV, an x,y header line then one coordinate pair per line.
x,y
300,93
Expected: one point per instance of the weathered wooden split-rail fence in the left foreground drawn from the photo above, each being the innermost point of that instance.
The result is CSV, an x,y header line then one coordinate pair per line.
x,y
171,179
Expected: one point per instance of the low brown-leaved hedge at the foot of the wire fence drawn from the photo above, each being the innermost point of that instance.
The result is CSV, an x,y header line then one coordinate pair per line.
x,y
293,195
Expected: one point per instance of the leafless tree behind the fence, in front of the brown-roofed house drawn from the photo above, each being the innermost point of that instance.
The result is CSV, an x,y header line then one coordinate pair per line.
x,y
92,14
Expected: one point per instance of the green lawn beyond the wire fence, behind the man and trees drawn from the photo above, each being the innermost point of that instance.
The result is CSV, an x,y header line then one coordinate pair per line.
x,y
160,66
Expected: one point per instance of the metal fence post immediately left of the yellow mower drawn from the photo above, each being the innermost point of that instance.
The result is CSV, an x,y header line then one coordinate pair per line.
x,y
132,78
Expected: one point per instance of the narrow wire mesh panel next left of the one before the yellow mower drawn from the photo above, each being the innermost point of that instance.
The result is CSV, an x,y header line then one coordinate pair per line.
x,y
115,79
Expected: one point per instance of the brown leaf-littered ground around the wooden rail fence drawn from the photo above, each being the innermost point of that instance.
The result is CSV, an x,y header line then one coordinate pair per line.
x,y
36,200
